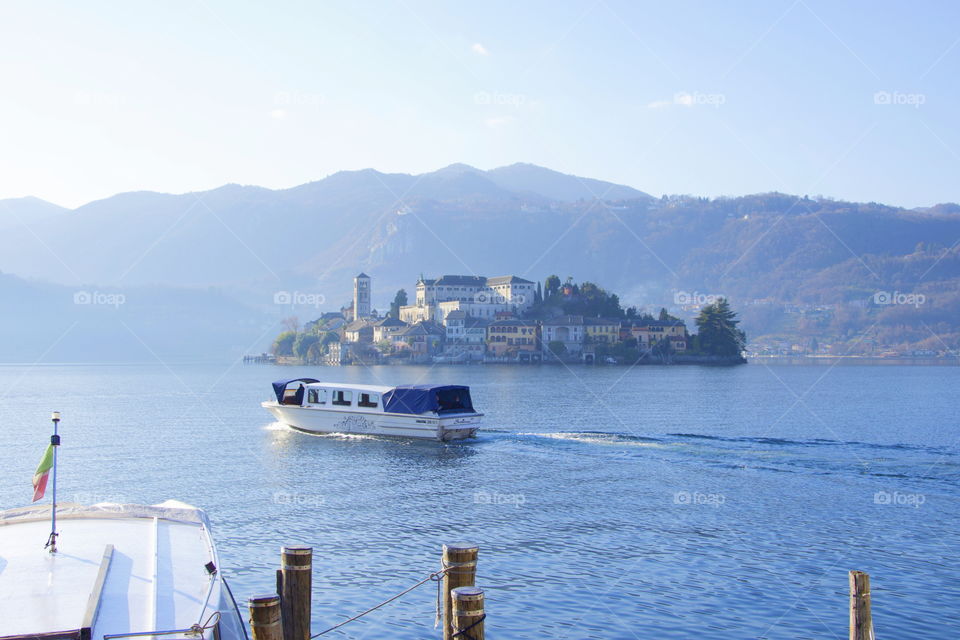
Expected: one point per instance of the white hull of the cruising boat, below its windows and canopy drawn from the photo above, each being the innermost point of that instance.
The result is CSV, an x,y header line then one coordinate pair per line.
x,y
313,420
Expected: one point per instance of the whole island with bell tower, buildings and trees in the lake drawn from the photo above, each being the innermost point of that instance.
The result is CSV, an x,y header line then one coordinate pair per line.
x,y
465,319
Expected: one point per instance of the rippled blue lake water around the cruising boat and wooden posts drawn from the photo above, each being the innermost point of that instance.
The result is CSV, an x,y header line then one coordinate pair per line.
x,y
608,503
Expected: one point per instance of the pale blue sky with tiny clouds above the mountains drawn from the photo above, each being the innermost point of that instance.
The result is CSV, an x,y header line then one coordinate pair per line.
x,y
852,100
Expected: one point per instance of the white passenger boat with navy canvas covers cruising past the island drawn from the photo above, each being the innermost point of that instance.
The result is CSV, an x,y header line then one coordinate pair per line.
x,y
439,412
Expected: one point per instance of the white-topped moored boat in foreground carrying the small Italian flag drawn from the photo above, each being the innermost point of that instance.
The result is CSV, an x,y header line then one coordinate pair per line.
x,y
118,571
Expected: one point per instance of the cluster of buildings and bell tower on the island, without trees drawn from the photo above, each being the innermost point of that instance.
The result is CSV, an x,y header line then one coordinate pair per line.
x,y
458,318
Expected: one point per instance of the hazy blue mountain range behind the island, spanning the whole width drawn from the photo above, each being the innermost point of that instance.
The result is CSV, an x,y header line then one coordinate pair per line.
x,y
210,263
